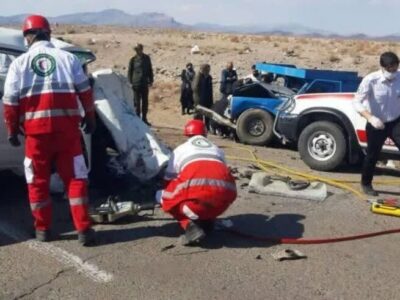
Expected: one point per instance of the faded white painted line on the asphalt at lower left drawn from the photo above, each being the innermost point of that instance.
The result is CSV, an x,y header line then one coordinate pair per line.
x,y
69,260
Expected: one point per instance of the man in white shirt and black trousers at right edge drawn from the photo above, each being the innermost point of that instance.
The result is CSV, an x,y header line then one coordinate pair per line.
x,y
378,101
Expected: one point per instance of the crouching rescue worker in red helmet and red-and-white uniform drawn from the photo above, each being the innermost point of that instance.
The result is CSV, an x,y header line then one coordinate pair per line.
x,y
199,185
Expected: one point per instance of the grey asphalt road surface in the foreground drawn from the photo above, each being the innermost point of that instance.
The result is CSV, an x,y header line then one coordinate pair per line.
x,y
140,257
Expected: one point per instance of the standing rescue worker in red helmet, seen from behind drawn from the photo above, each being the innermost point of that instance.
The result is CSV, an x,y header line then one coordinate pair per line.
x,y
41,95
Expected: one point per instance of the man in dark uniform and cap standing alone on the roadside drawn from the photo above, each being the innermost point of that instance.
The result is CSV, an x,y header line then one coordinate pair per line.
x,y
140,75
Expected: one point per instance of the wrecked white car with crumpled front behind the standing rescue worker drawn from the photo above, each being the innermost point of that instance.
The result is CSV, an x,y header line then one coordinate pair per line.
x,y
122,143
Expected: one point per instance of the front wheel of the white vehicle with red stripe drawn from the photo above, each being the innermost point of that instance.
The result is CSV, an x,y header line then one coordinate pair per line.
x,y
322,145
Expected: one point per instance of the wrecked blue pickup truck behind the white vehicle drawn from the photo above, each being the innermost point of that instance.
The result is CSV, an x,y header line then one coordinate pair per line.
x,y
253,107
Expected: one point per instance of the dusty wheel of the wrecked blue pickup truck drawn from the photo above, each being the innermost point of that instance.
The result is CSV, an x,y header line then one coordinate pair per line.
x,y
254,127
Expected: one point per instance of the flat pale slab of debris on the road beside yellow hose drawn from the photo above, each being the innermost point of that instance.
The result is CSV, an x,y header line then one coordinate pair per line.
x,y
262,183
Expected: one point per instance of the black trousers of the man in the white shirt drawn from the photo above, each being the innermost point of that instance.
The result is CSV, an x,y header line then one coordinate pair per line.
x,y
376,138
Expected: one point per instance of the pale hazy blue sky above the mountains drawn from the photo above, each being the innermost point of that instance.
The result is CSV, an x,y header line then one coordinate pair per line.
x,y
373,17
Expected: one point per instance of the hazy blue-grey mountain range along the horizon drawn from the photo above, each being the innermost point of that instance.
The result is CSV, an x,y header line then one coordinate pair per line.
x,y
159,20
